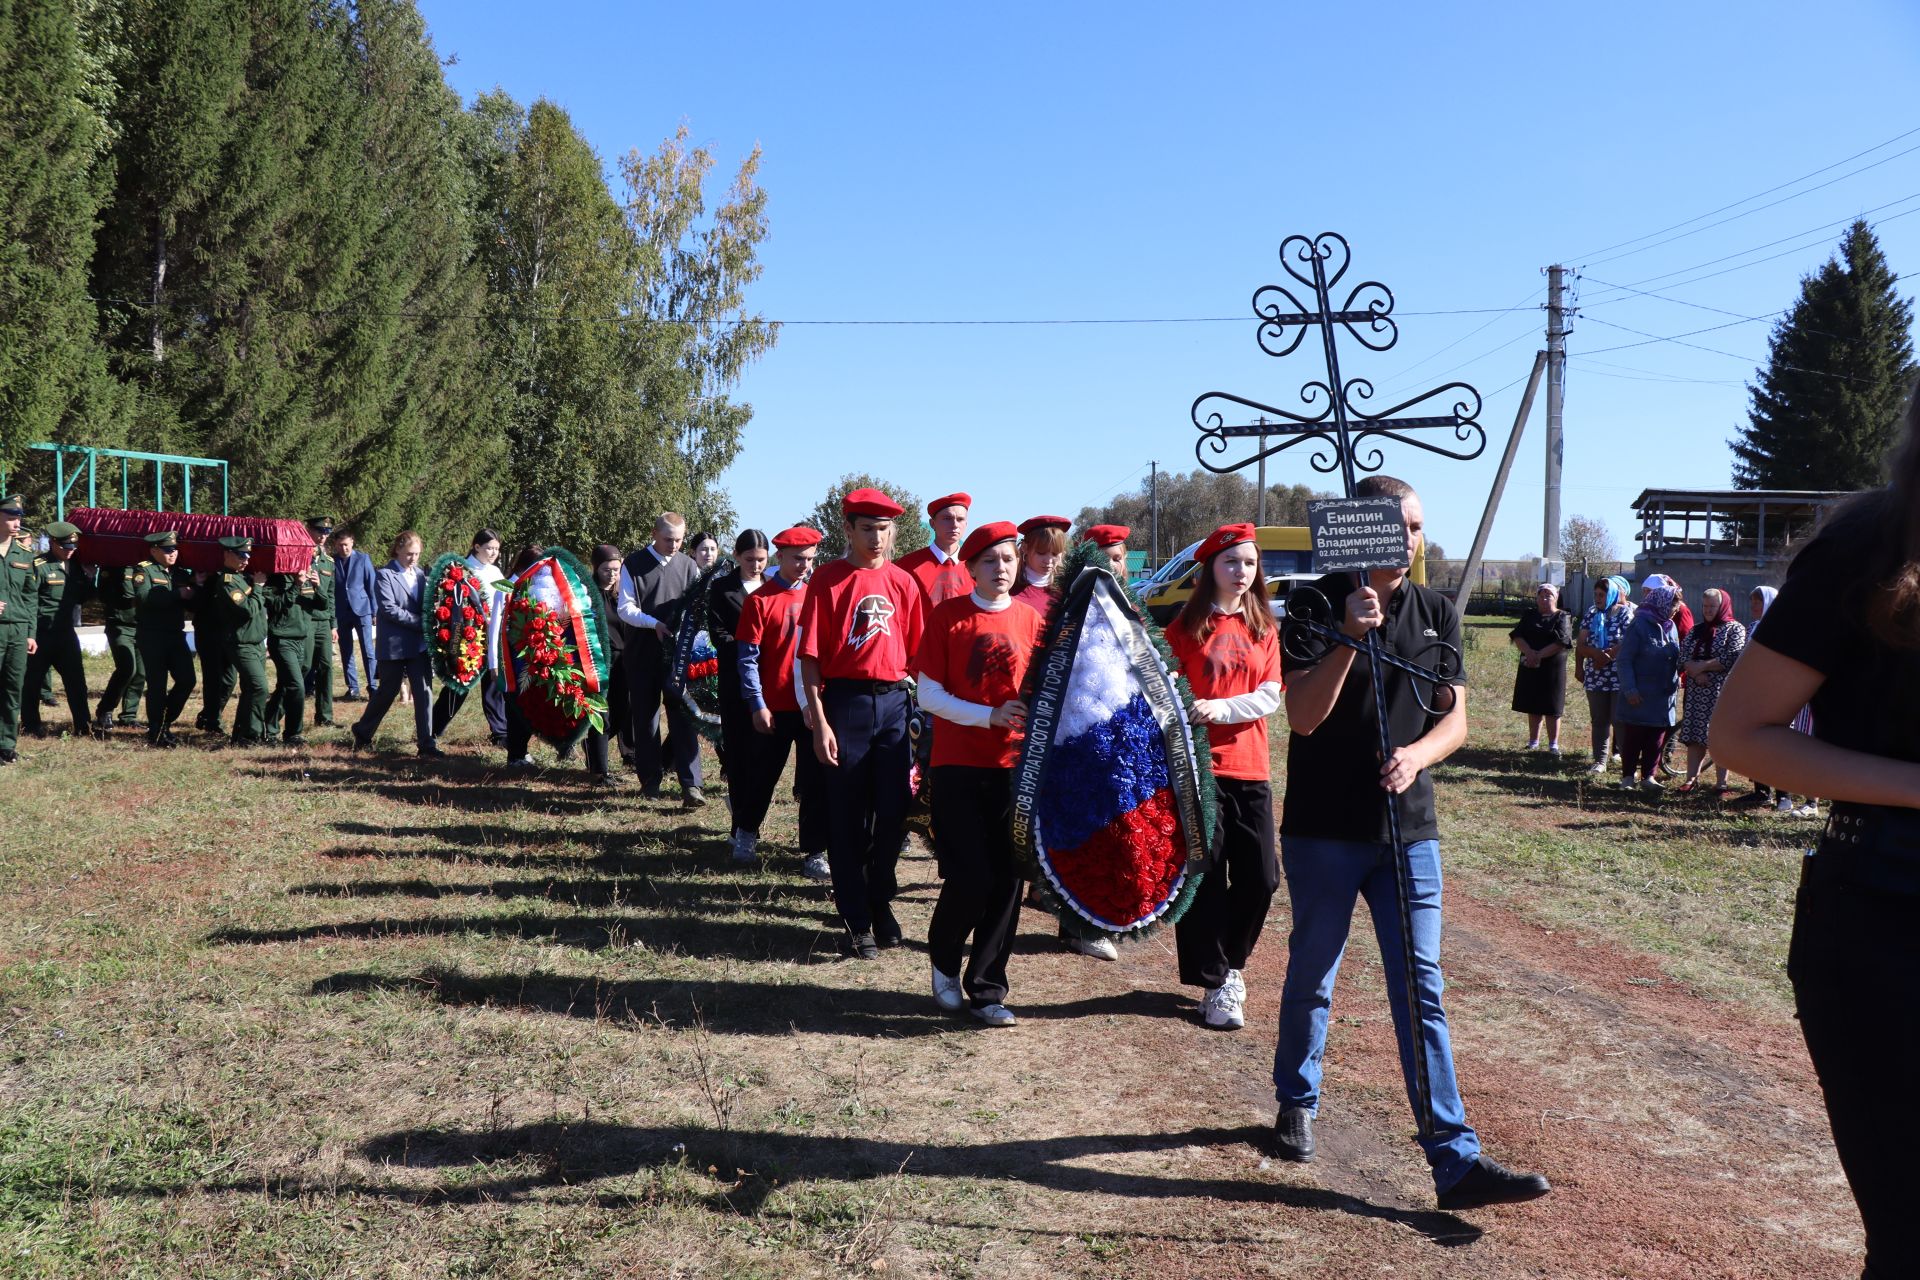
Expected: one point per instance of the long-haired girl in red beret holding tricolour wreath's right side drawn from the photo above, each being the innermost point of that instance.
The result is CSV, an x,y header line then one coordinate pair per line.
x,y
1230,652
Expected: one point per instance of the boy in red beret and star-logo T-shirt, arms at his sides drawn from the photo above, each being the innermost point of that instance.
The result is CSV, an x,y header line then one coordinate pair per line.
x,y
859,627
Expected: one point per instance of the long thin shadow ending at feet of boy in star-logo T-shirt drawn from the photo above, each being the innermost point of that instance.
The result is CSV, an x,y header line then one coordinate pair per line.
x,y
679,936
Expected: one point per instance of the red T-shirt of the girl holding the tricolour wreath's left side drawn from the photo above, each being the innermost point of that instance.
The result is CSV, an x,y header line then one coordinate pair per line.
x,y
978,655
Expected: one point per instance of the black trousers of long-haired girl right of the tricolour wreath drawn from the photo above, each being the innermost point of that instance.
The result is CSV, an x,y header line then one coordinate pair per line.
x,y
1230,909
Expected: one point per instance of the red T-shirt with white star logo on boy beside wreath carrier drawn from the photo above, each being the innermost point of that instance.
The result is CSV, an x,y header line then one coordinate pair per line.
x,y
861,623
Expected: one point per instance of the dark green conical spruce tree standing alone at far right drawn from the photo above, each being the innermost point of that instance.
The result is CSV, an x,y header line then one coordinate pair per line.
x,y
1840,367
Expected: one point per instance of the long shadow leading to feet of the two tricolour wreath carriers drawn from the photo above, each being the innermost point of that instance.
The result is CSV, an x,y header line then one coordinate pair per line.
x,y
729,1008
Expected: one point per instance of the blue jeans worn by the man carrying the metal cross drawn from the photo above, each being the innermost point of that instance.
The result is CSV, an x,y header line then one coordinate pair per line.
x,y
1324,878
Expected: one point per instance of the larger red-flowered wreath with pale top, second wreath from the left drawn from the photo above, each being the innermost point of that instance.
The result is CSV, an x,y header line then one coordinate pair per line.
x,y
556,640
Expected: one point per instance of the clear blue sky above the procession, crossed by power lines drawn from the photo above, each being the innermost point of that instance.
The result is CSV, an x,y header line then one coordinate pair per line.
x,y
1126,160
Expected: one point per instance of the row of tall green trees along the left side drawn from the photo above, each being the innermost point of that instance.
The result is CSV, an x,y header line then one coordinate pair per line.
x,y
270,231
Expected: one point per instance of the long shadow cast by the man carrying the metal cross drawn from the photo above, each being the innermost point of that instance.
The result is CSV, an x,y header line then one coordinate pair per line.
x,y
761,1162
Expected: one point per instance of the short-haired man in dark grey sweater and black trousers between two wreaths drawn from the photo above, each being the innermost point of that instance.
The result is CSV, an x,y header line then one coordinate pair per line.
x,y
652,586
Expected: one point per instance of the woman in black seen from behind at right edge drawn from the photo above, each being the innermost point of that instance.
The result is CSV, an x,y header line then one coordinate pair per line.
x,y
1844,636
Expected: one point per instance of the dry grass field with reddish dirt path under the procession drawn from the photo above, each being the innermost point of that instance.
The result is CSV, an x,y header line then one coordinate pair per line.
x,y
360,1016
